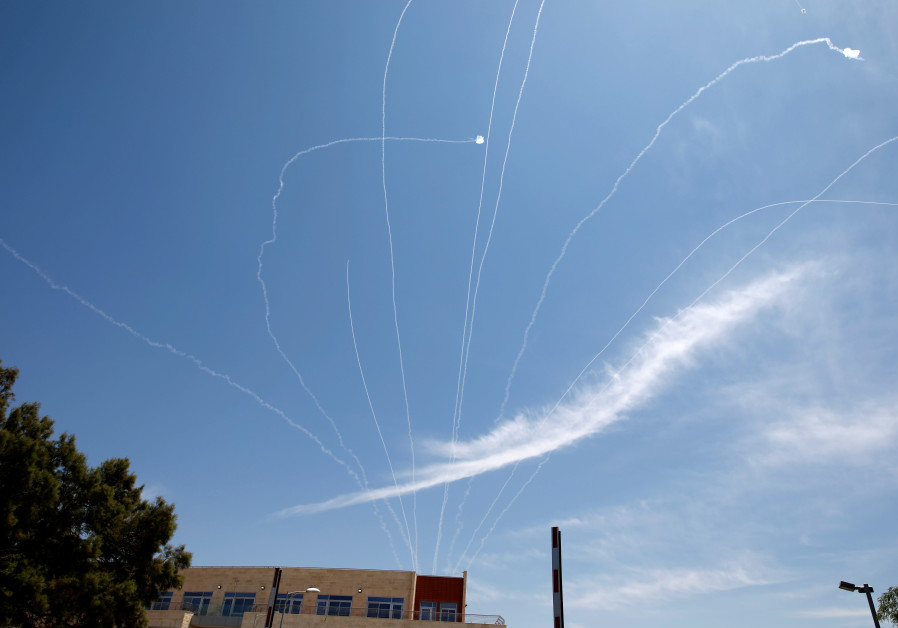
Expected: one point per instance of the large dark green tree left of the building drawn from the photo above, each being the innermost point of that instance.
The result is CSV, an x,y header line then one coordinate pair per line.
x,y
78,545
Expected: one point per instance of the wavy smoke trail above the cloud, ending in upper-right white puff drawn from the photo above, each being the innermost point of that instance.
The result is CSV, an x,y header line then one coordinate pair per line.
x,y
564,247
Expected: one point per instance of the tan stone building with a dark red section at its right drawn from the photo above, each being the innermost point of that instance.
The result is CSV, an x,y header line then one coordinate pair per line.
x,y
295,597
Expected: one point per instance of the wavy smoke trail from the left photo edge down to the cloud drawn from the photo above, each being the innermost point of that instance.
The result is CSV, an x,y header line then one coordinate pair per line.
x,y
181,354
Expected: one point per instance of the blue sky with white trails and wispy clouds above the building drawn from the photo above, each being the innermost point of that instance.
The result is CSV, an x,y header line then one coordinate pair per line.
x,y
258,250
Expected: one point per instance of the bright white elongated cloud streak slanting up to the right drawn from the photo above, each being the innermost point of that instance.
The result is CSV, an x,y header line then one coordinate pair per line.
x,y
670,348
